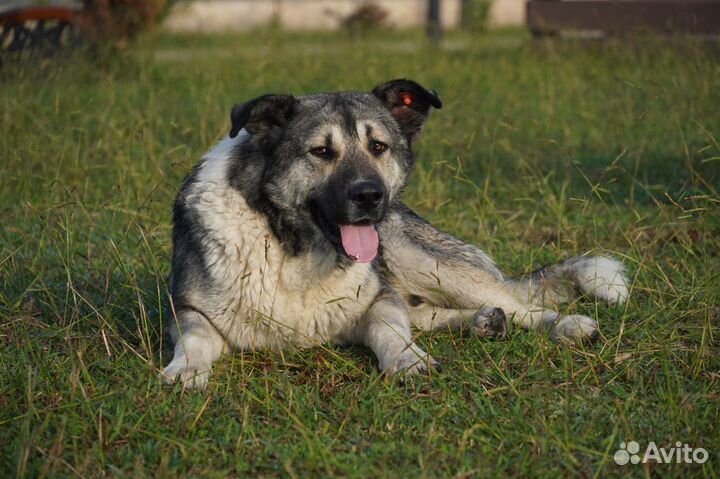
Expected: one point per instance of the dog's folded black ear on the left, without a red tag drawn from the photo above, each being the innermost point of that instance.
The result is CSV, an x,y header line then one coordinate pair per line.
x,y
263,116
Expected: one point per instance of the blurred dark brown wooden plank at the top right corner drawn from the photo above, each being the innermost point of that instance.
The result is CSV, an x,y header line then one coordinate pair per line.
x,y
610,16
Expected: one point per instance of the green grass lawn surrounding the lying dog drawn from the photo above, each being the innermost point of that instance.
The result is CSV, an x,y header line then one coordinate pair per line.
x,y
541,151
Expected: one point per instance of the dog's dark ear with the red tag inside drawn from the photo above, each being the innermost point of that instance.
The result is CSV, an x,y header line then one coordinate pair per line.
x,y
409,103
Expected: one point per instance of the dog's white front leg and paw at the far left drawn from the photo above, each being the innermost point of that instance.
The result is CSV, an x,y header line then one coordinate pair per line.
x,y
197,346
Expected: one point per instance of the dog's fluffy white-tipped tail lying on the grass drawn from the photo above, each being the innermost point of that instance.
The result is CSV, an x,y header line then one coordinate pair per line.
x,y
597,276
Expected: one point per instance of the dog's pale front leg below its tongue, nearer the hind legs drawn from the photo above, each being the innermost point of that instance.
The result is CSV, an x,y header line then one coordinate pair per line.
x,y
385,328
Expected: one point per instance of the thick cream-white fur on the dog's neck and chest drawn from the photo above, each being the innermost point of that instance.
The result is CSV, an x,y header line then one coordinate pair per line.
x,y
266,298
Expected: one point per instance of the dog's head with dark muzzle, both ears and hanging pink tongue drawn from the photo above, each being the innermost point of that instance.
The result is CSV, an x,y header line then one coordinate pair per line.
x,y
336,160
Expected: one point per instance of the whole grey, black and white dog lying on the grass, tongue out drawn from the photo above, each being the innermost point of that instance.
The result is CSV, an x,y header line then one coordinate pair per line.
x,y
291,231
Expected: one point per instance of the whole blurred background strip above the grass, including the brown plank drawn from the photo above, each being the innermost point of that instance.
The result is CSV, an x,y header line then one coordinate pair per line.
x,y
123,18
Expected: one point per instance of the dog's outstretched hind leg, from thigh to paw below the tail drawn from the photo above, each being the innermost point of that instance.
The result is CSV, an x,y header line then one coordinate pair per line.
x,y
442,270
